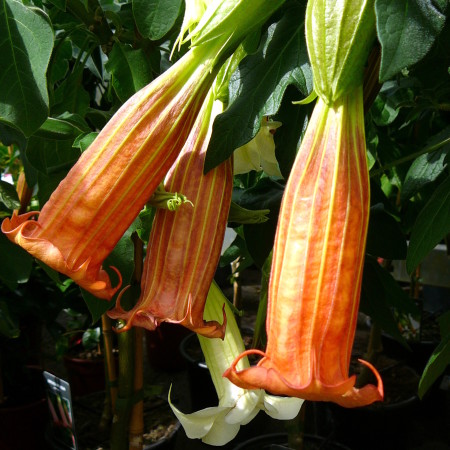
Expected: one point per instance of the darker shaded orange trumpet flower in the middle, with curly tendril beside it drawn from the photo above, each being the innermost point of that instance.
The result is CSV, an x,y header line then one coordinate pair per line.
x,y
184,246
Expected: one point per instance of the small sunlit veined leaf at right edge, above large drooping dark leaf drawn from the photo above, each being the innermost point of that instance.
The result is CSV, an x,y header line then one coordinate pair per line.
x,y
426,168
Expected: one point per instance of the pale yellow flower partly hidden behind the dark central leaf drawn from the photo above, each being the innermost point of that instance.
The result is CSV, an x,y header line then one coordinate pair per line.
x,y
259,153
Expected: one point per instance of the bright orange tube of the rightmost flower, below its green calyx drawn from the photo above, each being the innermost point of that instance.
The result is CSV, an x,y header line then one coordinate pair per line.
x,y
317,266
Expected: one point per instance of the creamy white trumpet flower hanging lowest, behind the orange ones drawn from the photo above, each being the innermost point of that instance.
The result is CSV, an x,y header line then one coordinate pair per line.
x,y
220,424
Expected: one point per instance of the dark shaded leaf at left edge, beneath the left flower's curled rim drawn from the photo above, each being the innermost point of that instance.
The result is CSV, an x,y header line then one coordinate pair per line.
x,y
16,268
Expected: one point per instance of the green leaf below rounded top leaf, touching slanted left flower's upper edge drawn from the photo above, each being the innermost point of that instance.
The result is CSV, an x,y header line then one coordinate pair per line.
x,y
130,70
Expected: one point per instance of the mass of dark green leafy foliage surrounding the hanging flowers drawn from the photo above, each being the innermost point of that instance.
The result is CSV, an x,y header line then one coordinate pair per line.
x,y
68,65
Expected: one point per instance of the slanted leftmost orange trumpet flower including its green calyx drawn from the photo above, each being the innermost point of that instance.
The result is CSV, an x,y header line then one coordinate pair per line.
x,y
105,190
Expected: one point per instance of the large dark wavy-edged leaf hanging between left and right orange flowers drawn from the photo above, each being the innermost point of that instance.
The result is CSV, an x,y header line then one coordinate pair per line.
x,y
257,87
